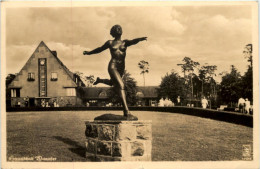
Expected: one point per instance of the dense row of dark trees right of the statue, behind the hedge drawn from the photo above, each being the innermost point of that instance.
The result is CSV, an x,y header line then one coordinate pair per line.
x,y
194,86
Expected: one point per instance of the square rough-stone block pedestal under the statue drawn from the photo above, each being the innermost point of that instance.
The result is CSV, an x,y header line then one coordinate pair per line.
x,y
118,140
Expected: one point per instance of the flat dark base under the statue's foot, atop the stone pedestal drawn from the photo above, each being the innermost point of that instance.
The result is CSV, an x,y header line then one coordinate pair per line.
x,y
130,117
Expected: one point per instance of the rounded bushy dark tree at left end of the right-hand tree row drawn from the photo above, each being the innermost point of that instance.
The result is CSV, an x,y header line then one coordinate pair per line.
x,y
172,86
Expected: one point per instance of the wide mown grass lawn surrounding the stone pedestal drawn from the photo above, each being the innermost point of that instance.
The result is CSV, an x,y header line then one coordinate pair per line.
x,y
176,137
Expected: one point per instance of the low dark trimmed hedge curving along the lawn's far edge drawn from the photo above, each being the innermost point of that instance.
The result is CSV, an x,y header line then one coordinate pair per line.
x,y
231,117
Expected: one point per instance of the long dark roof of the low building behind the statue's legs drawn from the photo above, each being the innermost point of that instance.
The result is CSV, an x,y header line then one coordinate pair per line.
x,y
94,92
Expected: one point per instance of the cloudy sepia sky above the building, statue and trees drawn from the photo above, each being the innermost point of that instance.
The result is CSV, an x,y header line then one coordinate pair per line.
x,y
208,34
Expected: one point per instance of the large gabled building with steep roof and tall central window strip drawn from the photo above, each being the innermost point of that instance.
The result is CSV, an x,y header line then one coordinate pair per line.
x,y
45,81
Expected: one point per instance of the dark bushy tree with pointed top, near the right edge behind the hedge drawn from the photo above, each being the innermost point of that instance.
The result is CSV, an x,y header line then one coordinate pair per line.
x,y
230,86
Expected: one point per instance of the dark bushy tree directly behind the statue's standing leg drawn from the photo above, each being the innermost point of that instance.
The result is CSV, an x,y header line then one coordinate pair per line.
x,y
130,89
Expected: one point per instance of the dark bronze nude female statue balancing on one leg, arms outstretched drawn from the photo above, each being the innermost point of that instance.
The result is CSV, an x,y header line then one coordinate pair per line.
x,y
116,65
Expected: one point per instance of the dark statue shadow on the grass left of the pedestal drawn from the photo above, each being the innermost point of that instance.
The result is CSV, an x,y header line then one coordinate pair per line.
x,y
77,148
